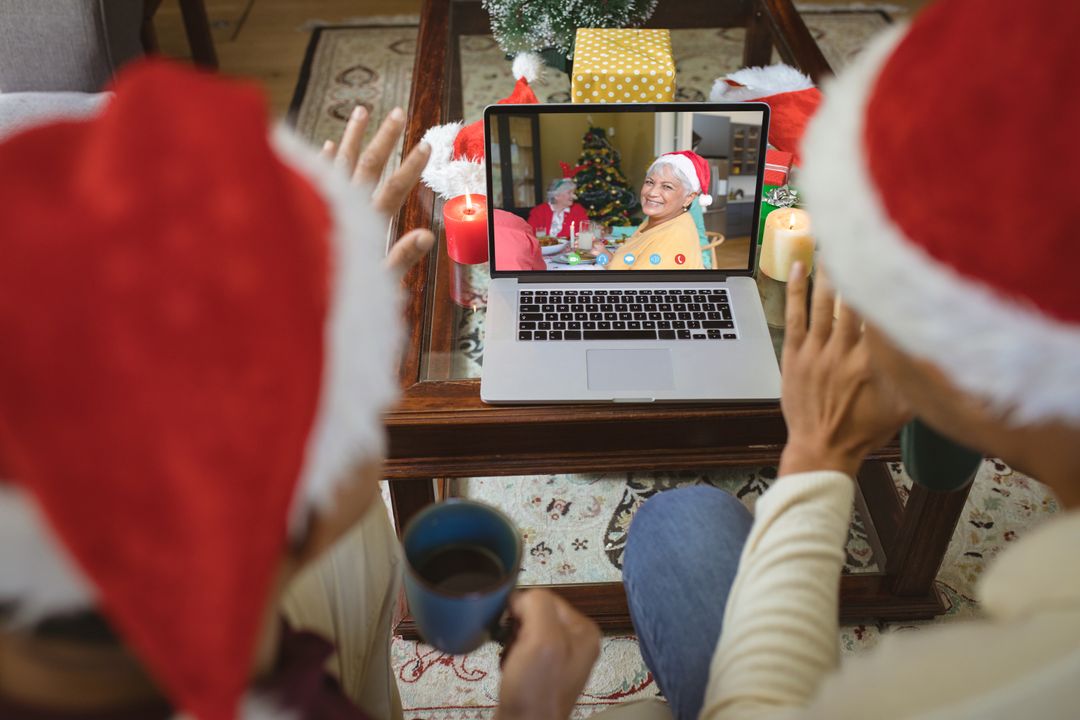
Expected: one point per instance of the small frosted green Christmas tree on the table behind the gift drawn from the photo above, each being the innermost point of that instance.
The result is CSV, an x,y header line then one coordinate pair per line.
x,y
521,25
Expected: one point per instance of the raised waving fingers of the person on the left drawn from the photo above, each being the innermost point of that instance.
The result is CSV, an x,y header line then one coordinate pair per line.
x,y
366,167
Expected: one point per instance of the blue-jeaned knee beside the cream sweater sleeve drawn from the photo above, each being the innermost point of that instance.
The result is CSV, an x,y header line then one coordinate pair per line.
x,y
681,560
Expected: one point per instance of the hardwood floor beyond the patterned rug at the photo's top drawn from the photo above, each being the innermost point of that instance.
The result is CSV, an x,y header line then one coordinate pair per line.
x,y
265,39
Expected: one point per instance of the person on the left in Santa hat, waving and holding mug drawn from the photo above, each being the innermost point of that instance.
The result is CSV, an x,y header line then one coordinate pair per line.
x,y
199,334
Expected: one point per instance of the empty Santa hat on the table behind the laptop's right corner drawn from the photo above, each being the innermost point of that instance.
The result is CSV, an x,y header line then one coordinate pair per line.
x,y
791,97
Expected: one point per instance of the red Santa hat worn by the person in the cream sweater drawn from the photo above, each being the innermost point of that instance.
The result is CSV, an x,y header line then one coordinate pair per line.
x,y
929,194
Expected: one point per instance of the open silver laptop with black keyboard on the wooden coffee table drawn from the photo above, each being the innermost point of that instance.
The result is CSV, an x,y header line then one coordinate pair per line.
x,y
579,329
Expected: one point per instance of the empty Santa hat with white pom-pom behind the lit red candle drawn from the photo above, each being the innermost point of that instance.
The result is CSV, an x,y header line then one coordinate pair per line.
x,y
457,151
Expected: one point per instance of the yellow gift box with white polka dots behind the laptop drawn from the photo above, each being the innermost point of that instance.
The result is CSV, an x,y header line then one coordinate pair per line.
x,y
623,66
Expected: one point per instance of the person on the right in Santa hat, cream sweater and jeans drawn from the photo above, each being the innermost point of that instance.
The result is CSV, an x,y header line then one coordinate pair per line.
x,y
924,171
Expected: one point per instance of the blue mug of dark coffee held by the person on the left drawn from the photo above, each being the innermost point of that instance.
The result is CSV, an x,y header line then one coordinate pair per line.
x,y
462,560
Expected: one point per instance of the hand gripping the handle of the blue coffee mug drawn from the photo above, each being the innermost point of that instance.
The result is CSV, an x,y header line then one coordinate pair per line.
x,y
546,669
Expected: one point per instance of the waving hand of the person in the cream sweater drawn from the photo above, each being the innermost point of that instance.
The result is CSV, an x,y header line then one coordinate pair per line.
x,y
838,409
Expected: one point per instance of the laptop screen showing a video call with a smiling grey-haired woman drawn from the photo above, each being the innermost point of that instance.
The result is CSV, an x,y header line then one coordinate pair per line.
x,y
607,188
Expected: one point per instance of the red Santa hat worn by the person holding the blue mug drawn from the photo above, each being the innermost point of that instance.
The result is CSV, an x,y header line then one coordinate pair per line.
x,y
198,344
